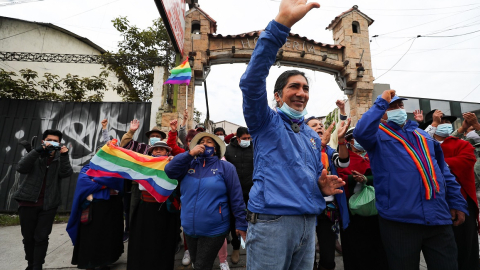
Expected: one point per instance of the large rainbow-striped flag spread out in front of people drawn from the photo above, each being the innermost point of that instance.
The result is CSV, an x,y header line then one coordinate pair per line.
x,y
114,161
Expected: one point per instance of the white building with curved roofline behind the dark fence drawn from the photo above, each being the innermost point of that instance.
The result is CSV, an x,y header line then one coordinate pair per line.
x,y
25,36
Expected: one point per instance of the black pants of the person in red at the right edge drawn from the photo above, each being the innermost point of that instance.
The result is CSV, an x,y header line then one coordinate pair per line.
x,y
466,237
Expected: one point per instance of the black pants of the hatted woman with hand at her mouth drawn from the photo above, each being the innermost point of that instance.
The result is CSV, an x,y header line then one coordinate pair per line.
x,y
204,250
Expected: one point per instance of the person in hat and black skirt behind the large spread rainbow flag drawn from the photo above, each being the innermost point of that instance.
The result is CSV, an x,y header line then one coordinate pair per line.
x,y
153,230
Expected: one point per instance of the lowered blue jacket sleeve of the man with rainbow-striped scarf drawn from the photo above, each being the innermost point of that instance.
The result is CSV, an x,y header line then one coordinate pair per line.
x,y
453,195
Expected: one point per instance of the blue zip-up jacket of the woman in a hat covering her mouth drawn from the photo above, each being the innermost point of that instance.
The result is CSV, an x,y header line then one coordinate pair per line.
x,y
210,190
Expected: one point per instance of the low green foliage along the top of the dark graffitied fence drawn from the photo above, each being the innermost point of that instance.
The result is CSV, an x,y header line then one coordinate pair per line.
x,y
52,87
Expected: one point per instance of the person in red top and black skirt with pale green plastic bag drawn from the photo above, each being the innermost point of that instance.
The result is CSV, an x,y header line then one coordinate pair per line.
x,y
361,243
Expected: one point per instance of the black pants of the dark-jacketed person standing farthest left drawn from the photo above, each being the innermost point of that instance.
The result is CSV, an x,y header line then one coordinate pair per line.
x,y
36,225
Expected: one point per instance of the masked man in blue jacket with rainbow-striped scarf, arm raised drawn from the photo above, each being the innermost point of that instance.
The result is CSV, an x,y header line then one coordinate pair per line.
x,y
416,195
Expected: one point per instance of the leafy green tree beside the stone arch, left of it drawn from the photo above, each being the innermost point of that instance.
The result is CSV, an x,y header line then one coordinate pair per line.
x,y
151,43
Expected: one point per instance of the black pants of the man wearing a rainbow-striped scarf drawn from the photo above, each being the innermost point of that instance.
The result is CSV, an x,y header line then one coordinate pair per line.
x,y
404,241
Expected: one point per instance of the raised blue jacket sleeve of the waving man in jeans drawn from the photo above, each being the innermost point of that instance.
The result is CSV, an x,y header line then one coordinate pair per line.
x,y
253,82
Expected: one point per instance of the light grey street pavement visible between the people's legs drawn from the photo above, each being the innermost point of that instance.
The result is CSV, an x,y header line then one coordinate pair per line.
x,y
60,251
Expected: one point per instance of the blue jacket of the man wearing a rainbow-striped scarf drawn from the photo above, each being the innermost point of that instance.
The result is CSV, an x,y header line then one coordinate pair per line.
x,y
399,190
